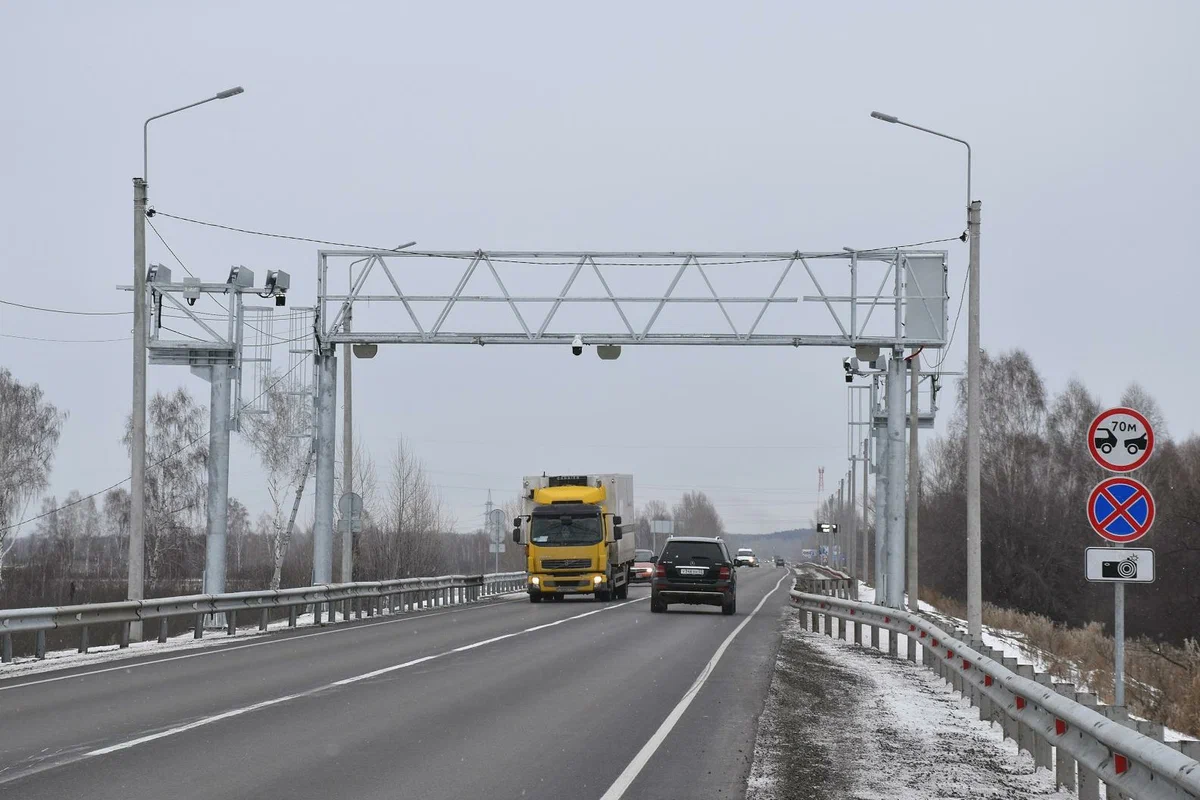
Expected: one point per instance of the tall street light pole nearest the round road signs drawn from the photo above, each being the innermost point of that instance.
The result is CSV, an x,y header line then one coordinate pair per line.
x,y
975,558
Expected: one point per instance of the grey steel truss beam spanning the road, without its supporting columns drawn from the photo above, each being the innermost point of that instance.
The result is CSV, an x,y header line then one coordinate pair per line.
x,y
899,288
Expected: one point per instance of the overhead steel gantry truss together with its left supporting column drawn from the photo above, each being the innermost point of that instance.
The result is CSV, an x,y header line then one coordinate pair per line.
x,y
881,299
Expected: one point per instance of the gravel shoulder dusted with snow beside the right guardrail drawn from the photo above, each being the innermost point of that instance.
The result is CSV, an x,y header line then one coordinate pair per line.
x,y
850,723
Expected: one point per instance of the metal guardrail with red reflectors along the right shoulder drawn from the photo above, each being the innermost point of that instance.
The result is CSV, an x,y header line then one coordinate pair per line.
x,y
1059,727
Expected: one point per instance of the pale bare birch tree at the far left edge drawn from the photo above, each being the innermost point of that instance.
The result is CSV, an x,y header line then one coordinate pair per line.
x,y
29,435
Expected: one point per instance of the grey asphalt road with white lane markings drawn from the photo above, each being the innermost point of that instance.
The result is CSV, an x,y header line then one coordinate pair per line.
x,y
507,700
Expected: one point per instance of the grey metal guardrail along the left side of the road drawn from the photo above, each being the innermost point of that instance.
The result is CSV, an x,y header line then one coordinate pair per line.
x,y
352,599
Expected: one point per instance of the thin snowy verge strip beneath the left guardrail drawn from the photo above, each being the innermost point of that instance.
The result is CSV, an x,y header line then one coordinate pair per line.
x,y
185,642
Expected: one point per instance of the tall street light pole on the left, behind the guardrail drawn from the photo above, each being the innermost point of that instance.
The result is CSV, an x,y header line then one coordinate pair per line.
x,y
139,428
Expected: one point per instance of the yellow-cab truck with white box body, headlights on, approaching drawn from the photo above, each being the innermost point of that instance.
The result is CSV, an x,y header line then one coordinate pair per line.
x,y
572,528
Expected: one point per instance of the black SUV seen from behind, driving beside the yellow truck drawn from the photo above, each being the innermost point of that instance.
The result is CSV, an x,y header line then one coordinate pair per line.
x,y
697,572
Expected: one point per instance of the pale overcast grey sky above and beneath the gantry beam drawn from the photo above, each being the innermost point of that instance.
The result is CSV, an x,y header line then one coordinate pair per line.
x,y
614,127
